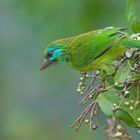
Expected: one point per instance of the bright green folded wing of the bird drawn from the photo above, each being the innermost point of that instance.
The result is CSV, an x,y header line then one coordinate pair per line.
x,y
87,47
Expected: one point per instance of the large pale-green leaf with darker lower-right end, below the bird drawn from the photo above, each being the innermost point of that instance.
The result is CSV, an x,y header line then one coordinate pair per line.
x,y
106,102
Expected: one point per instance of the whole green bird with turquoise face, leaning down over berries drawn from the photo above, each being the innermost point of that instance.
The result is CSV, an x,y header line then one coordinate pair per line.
x,y
95,50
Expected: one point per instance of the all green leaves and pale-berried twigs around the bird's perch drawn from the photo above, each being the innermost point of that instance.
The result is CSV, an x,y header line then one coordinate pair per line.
x,y
117,95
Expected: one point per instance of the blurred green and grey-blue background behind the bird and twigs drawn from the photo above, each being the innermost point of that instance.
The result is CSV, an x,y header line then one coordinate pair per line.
x,y
38,105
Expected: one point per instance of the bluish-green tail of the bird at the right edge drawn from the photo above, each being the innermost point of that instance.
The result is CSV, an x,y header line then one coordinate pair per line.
x,y
132,42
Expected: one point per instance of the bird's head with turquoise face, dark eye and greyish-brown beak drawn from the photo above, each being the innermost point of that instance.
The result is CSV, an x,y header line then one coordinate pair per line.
x,y
52,54
